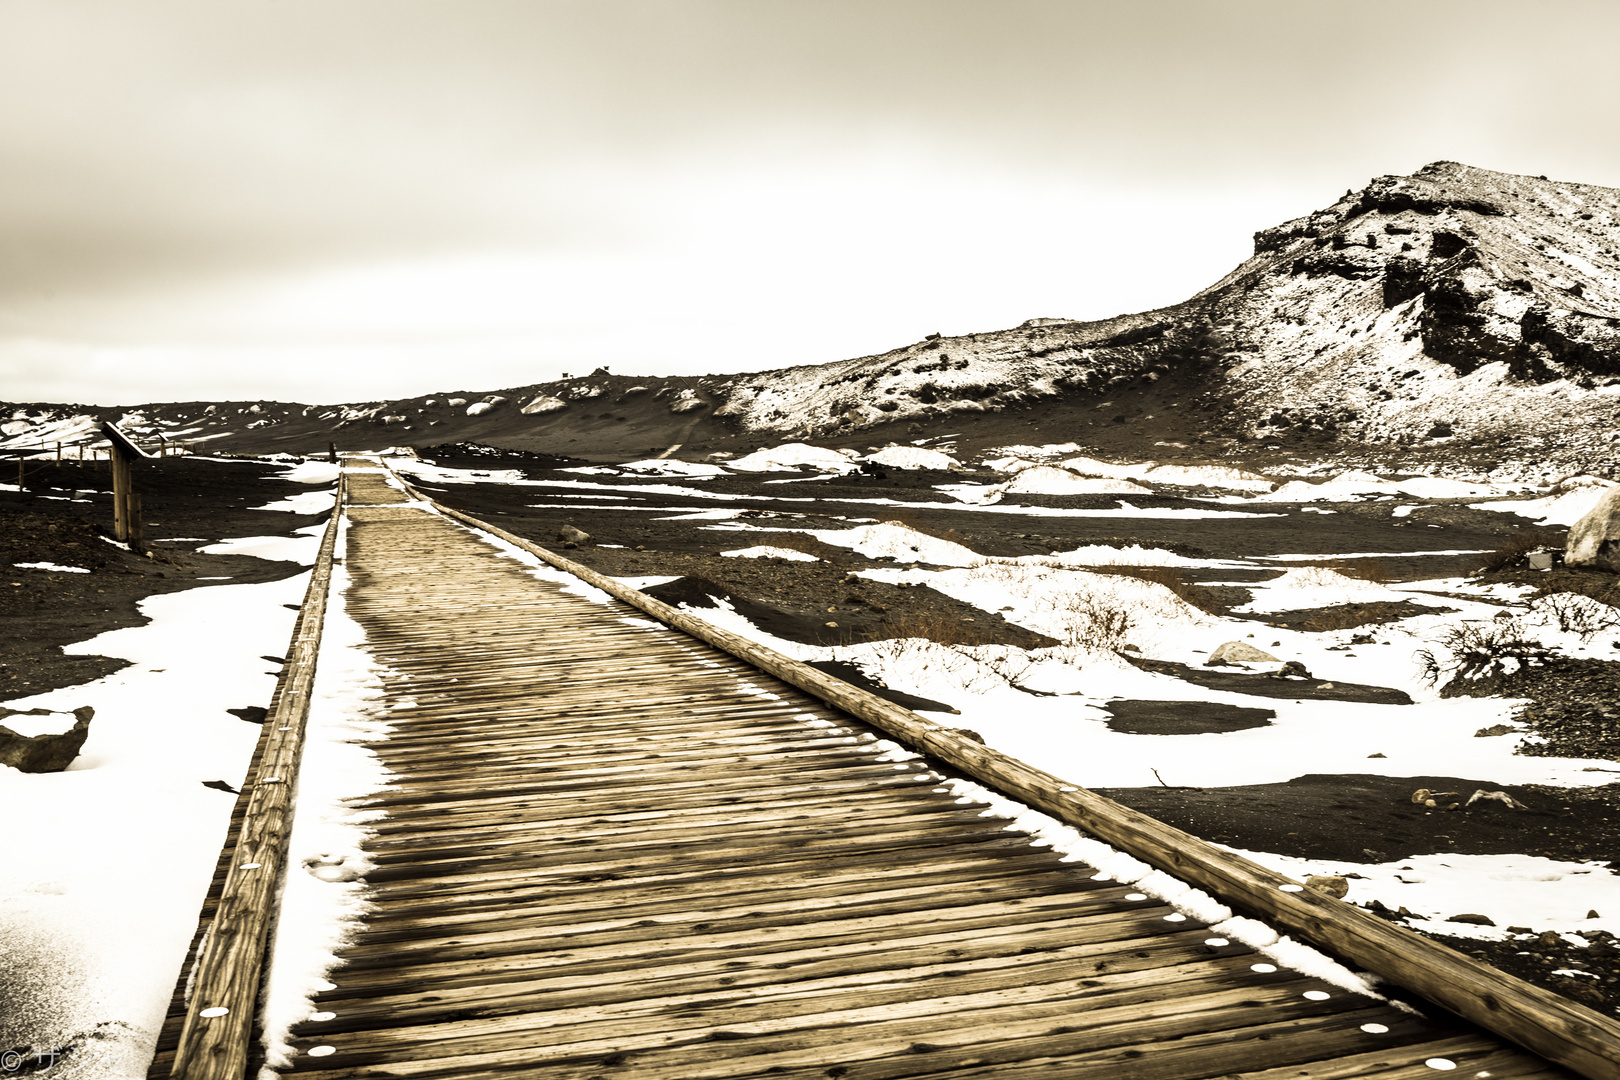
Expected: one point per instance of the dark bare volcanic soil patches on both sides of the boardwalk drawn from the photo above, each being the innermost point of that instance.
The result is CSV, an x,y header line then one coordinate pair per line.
x,y
652,529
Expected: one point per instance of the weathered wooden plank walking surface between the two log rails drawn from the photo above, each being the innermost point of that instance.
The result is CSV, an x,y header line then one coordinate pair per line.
x,y
612,851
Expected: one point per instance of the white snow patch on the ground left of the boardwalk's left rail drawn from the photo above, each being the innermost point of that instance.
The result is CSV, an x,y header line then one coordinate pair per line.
x,y
113,857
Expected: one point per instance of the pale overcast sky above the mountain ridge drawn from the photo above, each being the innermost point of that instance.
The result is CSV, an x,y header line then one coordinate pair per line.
x,y
354,200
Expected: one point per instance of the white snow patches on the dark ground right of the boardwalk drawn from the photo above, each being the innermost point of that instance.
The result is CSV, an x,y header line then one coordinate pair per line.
x,y
1049,707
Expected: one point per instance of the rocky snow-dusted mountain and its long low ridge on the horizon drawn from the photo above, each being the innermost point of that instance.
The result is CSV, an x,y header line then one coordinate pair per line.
x,y
1452,312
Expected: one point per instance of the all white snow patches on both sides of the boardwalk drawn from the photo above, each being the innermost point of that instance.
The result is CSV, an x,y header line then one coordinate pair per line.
x,y
108,877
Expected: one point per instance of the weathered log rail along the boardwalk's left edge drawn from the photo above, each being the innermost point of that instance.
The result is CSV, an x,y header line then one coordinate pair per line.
x,y
224,1000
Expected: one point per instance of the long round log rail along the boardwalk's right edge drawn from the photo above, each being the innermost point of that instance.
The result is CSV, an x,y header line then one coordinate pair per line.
x,y
1548,1024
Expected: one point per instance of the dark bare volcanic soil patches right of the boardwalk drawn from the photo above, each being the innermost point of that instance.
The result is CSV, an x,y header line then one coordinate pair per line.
x,y
1342,817
